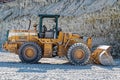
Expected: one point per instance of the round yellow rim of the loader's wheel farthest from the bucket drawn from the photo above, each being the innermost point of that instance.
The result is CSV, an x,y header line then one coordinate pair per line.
x,y
29,52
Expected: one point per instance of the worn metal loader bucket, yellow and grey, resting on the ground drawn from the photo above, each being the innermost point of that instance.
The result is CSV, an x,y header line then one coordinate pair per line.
x,y
102,56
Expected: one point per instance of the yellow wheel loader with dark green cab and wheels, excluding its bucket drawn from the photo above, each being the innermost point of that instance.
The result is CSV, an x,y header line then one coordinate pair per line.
x,y
32,45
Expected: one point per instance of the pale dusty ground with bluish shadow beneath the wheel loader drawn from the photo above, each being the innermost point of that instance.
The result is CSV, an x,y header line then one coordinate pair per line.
x,y
54,69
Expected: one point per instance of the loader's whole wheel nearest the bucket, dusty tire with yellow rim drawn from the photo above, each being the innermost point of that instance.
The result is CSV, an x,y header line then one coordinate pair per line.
x,y
78,54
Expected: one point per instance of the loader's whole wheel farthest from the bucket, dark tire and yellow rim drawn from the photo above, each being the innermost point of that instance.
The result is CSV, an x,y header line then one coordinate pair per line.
x,y
30,52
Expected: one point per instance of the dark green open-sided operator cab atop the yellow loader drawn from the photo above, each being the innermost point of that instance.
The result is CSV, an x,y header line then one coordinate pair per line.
x,y
44,32
